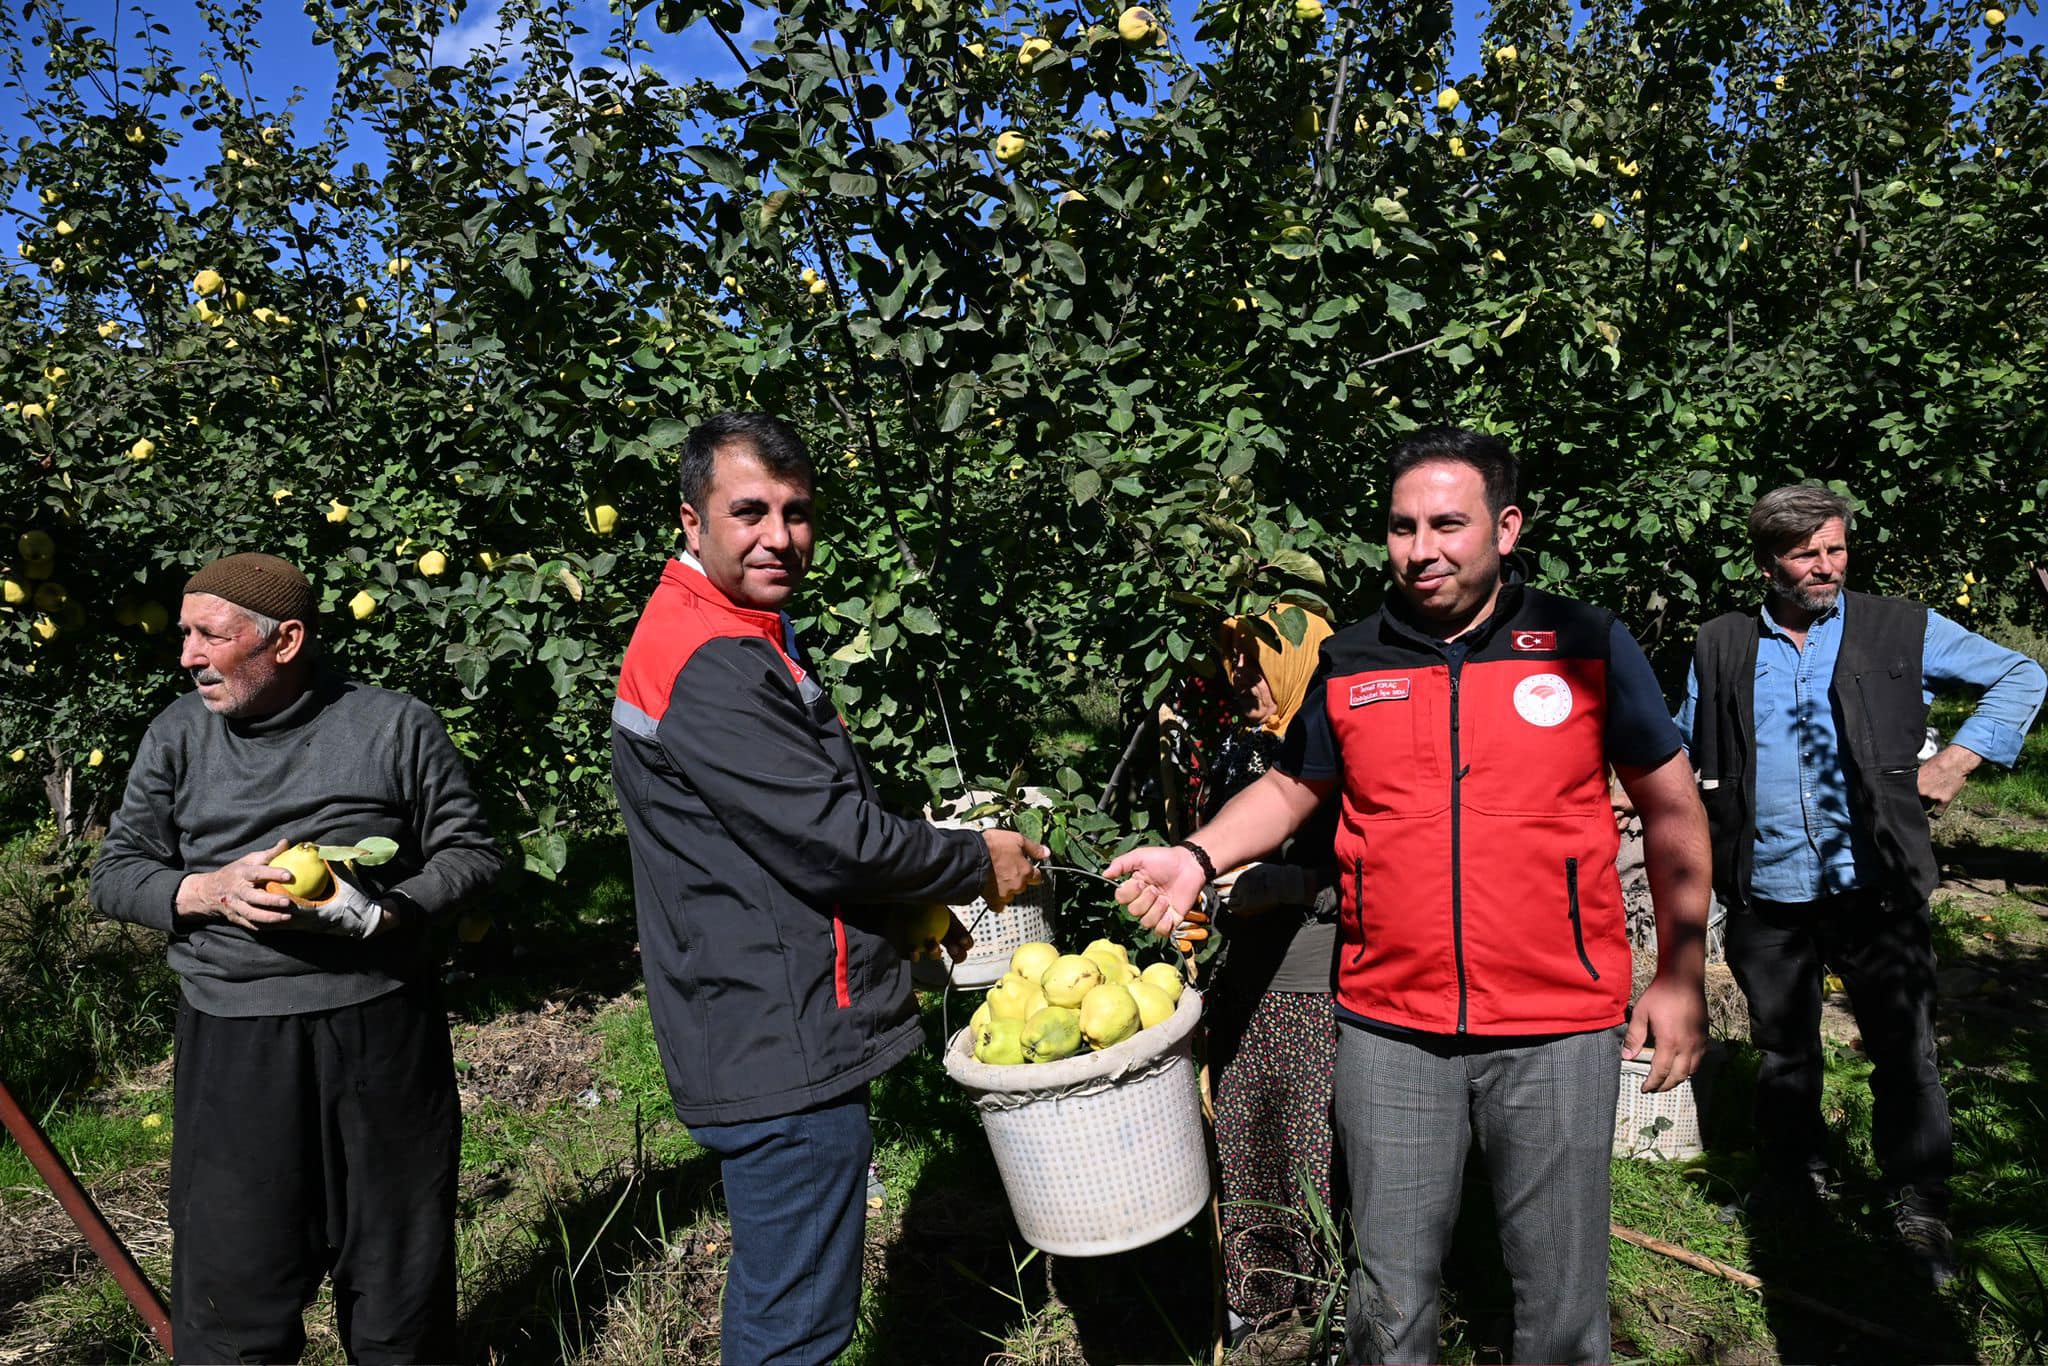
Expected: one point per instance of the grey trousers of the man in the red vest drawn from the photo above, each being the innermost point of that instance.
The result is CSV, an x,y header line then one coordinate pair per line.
x,y
1408,1109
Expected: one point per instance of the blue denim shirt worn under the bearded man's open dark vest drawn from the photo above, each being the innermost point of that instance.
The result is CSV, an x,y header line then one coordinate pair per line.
x,y
1807,843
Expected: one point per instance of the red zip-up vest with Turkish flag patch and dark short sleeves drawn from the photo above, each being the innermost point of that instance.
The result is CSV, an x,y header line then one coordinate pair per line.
x,y
1476,835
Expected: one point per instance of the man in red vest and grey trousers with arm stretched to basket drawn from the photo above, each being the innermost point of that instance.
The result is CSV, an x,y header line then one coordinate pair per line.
x,y
1482,949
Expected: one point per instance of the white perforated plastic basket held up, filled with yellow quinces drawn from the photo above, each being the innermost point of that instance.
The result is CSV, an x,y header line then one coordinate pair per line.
x,y
1101,1152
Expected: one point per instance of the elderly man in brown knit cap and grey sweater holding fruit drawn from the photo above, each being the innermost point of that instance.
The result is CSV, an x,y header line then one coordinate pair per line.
x,y
316,1113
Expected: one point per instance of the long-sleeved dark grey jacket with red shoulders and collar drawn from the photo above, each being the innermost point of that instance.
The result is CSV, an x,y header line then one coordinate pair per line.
x,y
761,865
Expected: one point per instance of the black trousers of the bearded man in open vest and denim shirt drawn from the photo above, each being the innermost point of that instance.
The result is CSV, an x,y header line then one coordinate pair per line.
x,y
1885,959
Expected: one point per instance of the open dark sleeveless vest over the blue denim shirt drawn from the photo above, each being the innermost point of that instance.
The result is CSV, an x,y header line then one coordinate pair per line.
x,y
1883,720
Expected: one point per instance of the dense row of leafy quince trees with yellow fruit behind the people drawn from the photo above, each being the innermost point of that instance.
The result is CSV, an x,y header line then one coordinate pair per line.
x,y
1097,323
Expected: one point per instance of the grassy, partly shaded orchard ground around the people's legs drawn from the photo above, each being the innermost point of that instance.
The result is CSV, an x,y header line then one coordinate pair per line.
x,y
593,1228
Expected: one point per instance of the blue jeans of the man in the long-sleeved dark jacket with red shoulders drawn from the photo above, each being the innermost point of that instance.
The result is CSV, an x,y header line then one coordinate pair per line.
x,y
796,1189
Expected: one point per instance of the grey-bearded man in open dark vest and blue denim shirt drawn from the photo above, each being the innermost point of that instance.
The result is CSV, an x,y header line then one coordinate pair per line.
x,y
1805,722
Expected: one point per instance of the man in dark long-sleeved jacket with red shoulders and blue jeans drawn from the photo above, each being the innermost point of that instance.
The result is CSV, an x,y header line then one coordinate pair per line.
x,y
761,873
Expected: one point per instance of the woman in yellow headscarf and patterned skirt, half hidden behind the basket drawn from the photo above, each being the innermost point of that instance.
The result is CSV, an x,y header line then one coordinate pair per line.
x,y
1273,1035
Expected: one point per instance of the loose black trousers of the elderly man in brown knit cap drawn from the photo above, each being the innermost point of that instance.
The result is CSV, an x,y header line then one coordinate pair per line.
x,y
310,1146
